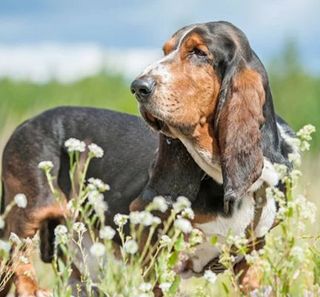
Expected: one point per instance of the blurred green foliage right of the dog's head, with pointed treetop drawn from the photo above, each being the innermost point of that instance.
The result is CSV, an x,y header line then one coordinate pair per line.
x,y
296,93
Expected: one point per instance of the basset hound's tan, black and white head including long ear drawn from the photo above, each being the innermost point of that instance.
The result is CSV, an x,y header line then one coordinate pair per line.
x,y
209,90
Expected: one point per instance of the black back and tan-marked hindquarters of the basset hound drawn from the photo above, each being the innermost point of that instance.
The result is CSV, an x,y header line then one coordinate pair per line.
x,y
42,138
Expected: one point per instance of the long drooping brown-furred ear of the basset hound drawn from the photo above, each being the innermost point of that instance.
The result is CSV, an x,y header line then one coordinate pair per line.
x,y
239,133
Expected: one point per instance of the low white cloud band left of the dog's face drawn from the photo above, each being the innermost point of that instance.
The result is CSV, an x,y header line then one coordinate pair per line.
x,y
66,63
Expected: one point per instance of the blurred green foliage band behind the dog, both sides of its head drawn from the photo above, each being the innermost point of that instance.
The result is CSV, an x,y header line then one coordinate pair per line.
x,y
296,94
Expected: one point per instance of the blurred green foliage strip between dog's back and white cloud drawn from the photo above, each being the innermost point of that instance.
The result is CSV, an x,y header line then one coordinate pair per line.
x,y
22,99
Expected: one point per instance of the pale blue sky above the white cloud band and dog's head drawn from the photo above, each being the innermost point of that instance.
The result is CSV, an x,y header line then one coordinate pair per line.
x,y
147,23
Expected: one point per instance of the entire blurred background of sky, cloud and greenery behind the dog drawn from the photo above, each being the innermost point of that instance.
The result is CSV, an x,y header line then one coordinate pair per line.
x,y
75,52
